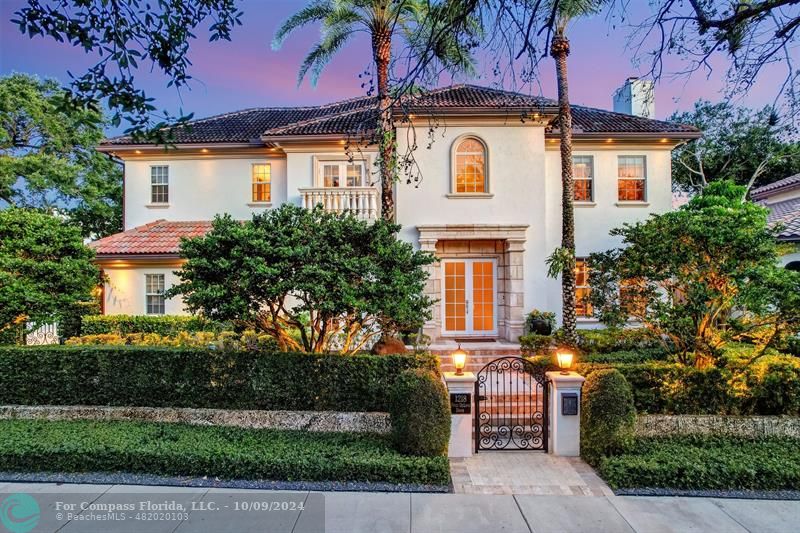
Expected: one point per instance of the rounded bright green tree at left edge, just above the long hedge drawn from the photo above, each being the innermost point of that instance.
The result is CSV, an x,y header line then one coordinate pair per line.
x,y
44,268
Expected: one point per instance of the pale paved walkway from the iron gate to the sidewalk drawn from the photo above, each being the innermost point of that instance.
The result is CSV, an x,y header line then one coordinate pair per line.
x,y
519,472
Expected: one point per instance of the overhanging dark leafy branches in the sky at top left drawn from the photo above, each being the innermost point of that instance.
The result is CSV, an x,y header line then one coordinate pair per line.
x,y
121,35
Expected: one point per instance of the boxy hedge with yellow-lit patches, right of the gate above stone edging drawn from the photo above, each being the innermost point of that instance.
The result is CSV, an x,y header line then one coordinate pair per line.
x,y
769,386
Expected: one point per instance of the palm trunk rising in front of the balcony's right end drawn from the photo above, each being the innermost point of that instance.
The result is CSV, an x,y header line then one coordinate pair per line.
x,y
382,49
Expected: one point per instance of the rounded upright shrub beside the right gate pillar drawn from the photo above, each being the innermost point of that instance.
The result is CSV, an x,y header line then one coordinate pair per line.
x,y
607,414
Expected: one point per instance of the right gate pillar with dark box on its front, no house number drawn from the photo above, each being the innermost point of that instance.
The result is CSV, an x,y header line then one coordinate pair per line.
x,y
565,413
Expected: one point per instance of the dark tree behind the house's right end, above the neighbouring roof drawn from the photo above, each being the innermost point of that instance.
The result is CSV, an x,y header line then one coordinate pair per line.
x,y
751,148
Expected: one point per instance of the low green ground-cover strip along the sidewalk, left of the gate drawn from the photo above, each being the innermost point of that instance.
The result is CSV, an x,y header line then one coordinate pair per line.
x,y
228,453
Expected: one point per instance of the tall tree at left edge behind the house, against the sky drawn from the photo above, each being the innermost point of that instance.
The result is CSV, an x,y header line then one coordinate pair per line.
x,y
48,158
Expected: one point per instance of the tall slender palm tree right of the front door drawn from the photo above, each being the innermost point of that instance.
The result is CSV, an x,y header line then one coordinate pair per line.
x,y
566,11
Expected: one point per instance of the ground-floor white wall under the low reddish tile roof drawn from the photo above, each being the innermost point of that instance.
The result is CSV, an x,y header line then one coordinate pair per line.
x,y
125,289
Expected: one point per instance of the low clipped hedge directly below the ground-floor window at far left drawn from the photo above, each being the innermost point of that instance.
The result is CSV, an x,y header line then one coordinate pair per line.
x,y
166,325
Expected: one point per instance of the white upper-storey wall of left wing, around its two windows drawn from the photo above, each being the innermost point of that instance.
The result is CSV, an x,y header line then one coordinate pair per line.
x,y
199,188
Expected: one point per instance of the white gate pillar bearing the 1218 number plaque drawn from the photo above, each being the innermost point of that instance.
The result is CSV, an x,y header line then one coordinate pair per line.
x,y
462,408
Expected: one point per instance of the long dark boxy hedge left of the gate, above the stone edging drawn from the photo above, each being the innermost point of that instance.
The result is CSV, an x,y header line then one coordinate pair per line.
x,y
195,377
